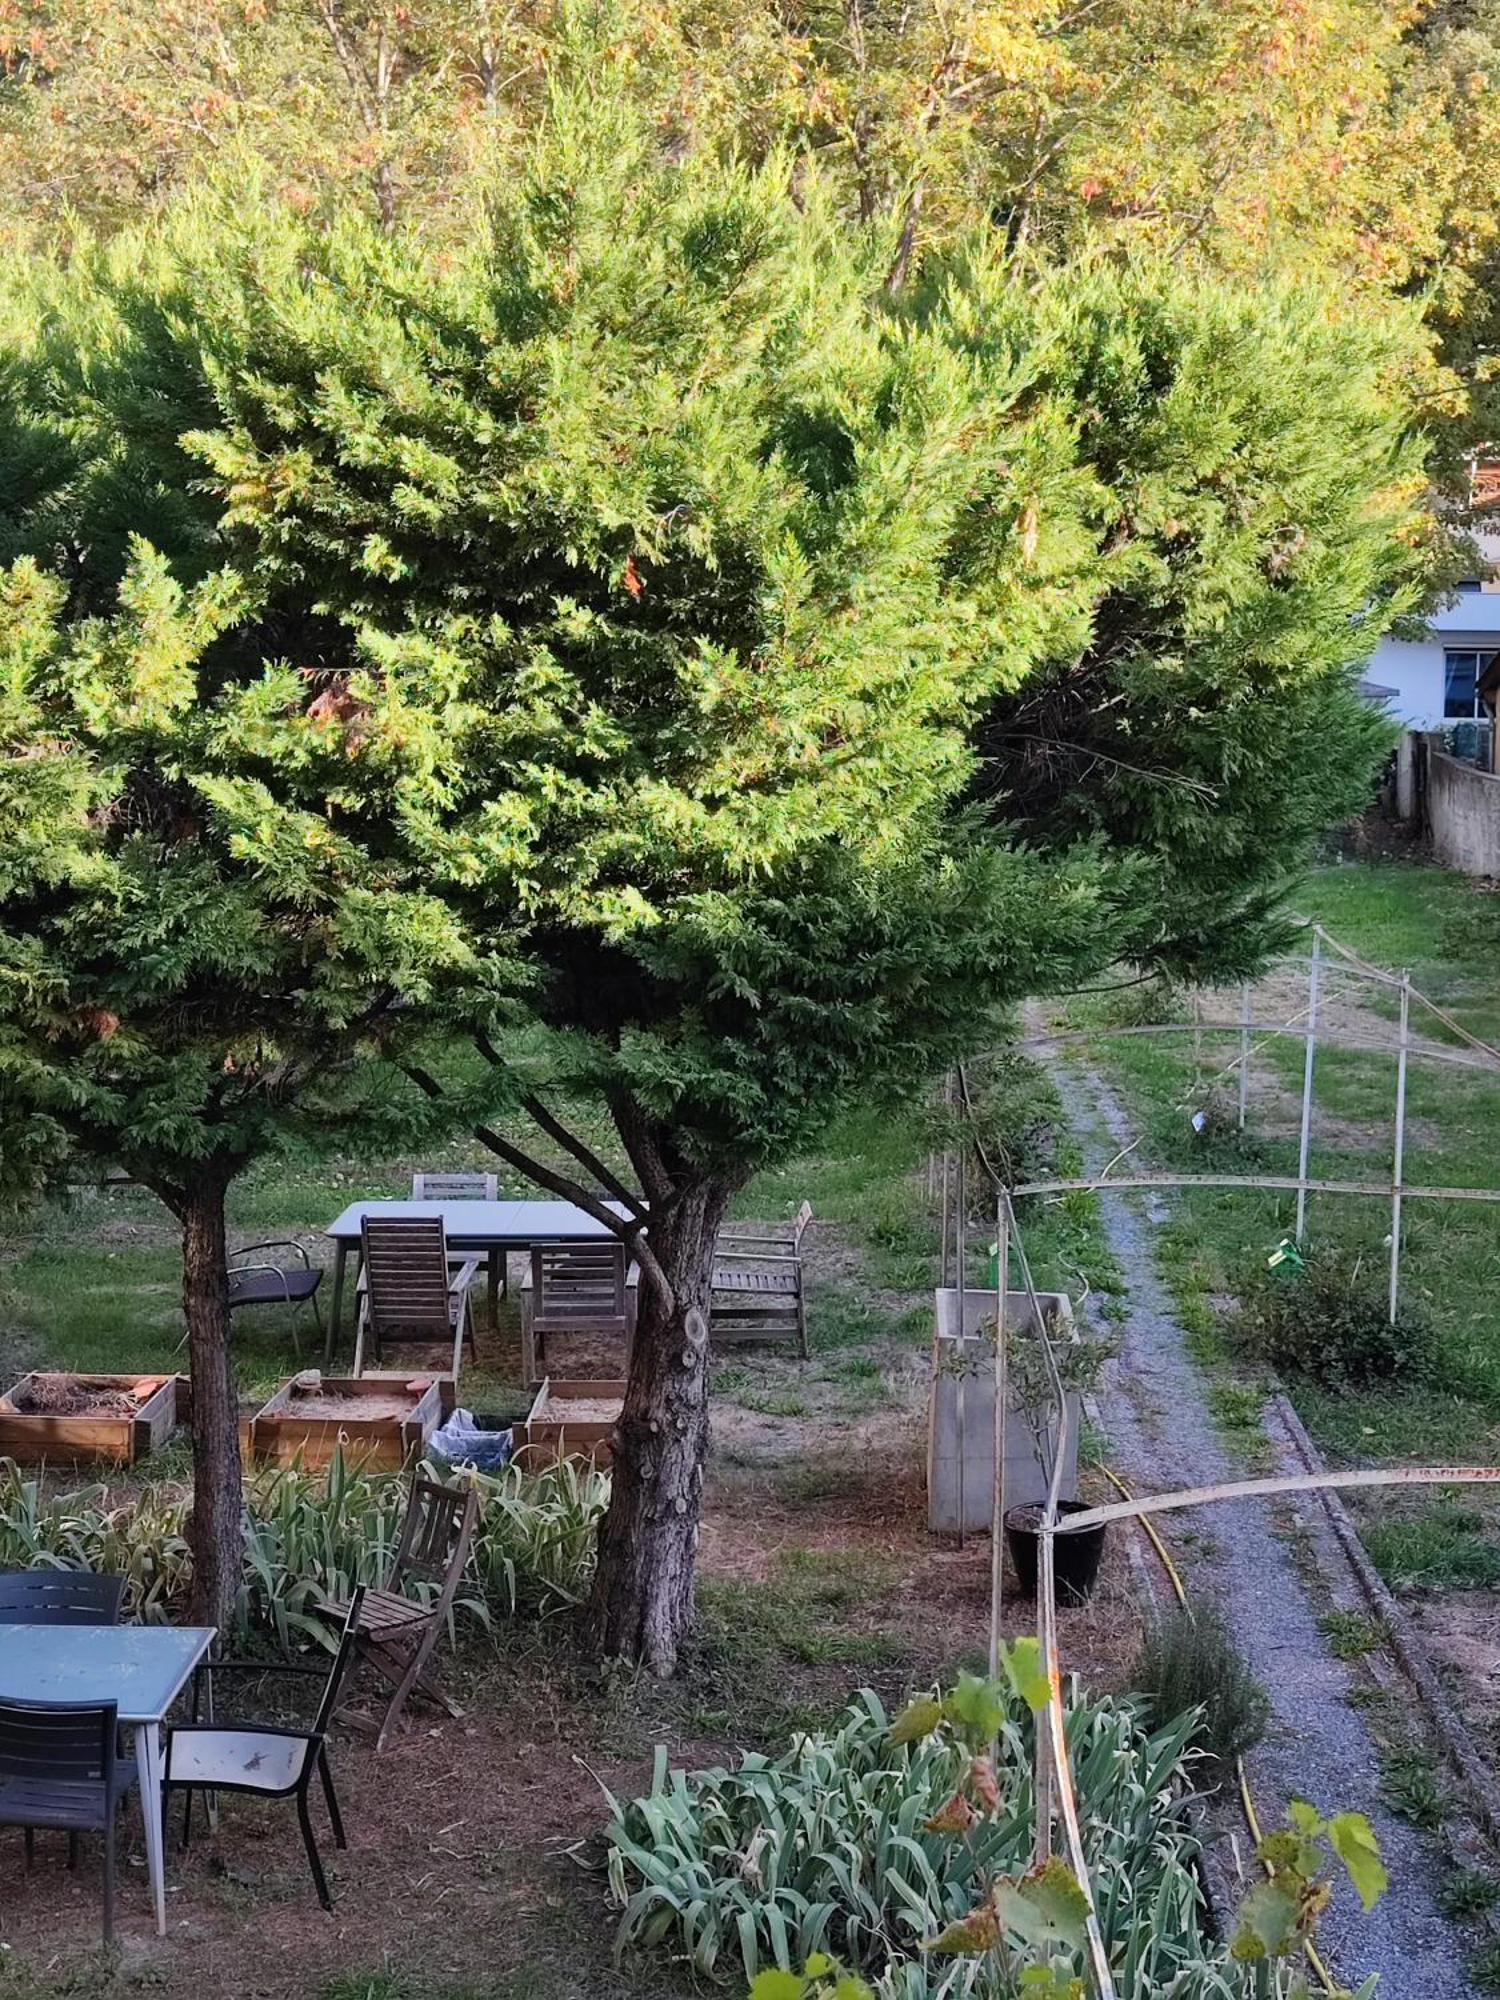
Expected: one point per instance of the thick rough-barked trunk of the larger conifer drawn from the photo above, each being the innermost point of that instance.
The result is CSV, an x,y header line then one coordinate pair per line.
x,y
649,1539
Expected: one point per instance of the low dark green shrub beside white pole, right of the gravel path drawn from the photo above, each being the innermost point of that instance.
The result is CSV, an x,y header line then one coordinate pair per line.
x,y
1331,1323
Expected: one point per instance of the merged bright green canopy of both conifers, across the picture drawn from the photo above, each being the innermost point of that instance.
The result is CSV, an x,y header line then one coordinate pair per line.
x,y
635,621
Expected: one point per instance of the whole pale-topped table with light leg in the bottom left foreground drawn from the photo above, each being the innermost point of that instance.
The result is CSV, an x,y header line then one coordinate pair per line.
x,y
141,1669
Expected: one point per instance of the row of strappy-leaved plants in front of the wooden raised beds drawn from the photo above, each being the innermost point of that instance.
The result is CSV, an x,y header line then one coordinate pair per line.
x,y
311,1537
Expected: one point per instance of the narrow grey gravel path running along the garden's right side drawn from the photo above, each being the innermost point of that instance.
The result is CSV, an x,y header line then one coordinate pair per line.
x,y
1319,1747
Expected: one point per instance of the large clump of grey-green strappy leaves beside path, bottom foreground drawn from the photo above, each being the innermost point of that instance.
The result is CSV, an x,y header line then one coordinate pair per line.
x,y
845,1845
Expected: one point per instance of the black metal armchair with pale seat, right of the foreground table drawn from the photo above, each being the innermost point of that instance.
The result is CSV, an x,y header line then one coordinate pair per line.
x,y
269,1759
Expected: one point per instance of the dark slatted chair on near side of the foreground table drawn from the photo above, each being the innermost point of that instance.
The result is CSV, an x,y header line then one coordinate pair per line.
x,y
61,1769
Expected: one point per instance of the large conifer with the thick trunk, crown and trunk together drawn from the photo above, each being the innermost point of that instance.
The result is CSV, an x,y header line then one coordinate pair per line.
x,y
745,681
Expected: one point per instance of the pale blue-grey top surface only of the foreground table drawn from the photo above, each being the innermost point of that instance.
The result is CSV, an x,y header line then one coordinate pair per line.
x,y
141,1669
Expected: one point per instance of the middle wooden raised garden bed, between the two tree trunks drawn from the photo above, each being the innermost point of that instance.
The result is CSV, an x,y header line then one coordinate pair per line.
x,y
375,1421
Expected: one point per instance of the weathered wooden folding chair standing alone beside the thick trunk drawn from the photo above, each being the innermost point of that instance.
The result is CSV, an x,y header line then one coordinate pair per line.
x,y
397,1631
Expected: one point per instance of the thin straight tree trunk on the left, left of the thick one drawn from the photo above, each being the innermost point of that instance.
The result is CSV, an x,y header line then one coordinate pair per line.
x,y
217,1493
